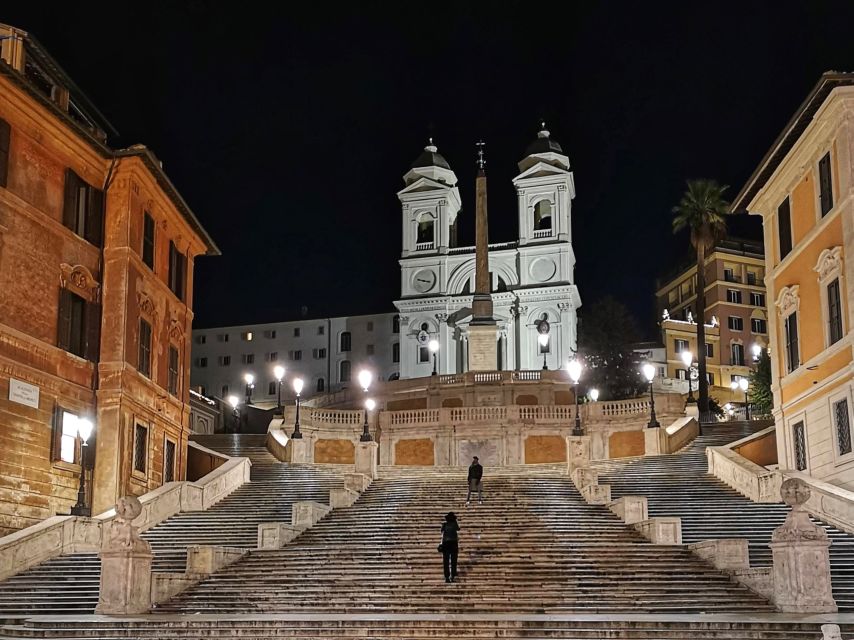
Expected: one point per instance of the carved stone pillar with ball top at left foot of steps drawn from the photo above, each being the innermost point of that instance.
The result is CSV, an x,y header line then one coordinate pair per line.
x,y
125,564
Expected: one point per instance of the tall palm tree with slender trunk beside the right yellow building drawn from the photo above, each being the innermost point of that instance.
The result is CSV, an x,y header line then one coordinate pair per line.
x,y
702,211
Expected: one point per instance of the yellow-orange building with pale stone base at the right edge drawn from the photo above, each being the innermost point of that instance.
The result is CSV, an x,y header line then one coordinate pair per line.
x,y
803,191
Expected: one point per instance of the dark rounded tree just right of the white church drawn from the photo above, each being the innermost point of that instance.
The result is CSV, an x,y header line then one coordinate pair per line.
x,y
606,333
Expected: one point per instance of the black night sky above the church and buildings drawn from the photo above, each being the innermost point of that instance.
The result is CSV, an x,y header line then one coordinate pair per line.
x,y
288,129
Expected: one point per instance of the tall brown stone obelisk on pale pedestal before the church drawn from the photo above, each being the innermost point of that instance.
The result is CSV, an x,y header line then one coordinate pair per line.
x,y
483,331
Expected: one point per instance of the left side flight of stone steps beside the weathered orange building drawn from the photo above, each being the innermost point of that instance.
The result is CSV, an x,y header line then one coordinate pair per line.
x,y
69,584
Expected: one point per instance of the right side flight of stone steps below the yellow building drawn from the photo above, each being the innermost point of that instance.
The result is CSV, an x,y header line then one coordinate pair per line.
x,y
679,485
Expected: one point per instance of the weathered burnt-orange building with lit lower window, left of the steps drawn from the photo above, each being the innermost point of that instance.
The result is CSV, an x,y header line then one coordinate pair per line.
x,y
96,260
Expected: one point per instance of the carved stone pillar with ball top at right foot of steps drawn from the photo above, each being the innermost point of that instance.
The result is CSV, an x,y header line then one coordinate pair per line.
x,y
801,564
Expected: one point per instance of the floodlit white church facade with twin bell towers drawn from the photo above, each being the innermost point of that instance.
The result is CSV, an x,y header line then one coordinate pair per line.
x,y
532,277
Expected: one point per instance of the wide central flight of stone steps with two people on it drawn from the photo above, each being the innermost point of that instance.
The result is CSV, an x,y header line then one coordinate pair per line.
x,y
534,547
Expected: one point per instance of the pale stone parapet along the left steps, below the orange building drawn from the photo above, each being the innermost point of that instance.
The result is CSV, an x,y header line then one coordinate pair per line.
x,y
62,535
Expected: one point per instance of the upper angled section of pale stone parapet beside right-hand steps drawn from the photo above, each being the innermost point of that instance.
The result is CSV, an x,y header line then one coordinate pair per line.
x,y
748,478
